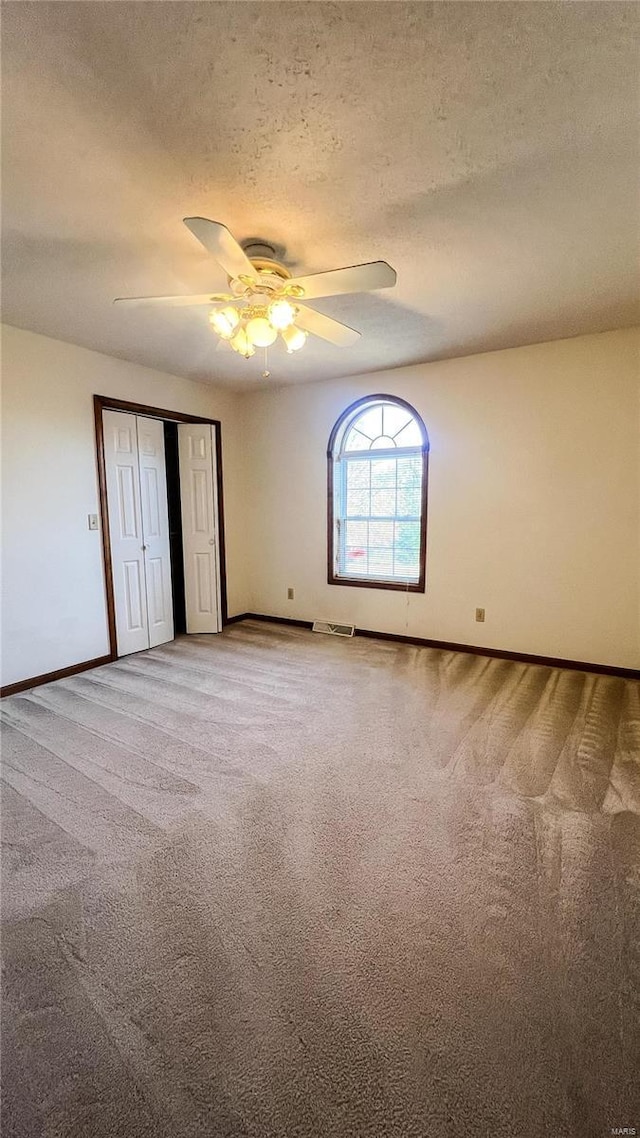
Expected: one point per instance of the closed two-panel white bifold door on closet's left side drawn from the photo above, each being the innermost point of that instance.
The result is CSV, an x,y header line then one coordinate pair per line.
x,y
140,531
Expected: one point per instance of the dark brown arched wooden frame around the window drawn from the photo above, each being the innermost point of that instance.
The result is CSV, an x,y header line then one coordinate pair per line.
x,y
341,427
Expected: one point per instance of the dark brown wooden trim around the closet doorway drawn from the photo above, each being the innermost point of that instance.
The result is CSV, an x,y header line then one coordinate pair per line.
x,y
106,403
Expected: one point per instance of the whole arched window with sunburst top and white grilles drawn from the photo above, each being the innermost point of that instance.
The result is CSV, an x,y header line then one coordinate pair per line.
x,y
378,458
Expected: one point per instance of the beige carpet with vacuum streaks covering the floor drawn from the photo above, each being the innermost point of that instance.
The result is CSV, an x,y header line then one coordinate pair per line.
x,y
281,885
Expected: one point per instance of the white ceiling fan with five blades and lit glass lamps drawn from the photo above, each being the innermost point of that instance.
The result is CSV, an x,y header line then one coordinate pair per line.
x,y
264,301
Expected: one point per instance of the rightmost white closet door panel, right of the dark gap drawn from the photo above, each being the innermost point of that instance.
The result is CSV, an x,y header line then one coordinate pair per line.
x,y
199,492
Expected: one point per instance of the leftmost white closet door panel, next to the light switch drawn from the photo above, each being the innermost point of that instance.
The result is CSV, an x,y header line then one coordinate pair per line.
x,y
126,532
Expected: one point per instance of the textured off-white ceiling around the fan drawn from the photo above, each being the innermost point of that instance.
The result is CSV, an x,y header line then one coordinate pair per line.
x,y
489,152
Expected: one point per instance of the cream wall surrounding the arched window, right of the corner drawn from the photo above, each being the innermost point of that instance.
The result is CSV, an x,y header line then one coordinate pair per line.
x,y
534,501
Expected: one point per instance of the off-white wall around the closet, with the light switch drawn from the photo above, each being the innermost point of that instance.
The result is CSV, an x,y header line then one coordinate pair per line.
x,y
53,582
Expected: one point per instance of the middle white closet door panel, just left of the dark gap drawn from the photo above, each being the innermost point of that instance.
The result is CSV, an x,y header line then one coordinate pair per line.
x,y
155,531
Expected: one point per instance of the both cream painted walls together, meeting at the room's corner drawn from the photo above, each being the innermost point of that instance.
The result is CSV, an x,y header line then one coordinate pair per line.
x,y
534,499
